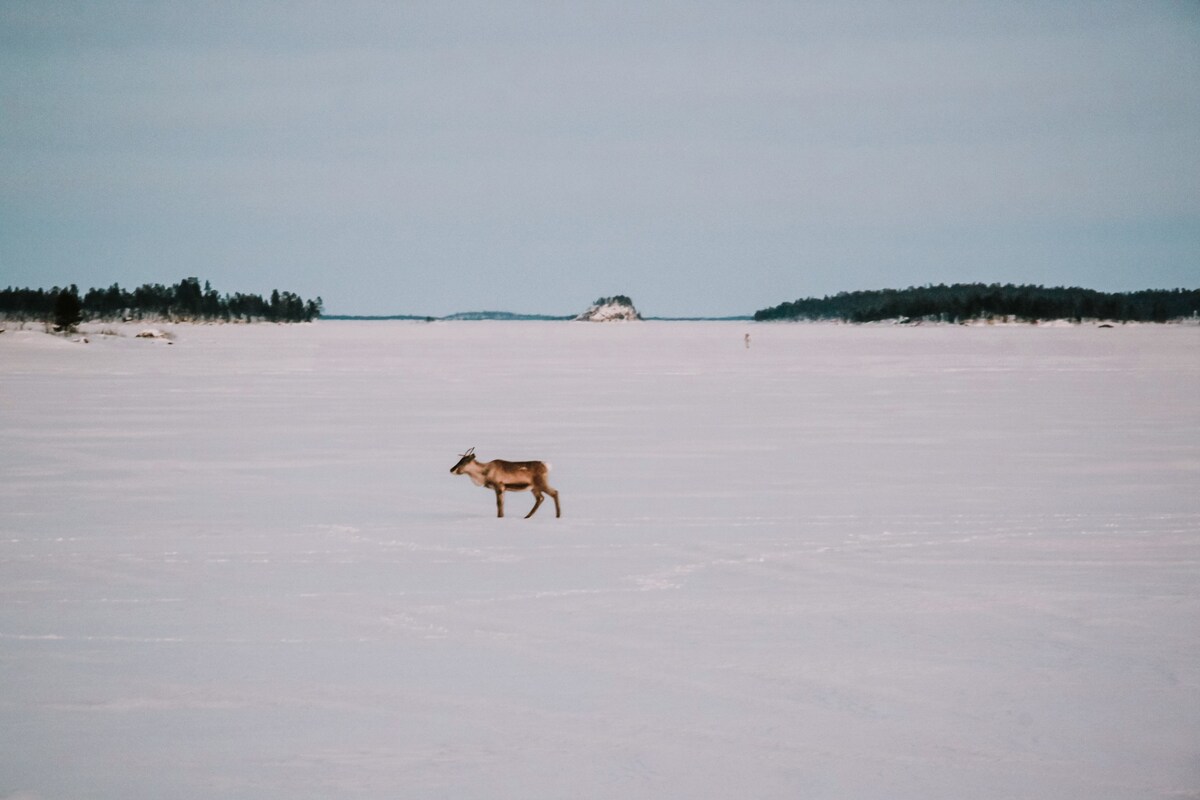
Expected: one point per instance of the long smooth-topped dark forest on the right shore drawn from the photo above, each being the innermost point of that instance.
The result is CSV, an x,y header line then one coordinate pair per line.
x,y
976,302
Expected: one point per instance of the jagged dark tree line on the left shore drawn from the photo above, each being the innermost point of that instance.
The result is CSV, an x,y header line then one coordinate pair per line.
x,y
185,302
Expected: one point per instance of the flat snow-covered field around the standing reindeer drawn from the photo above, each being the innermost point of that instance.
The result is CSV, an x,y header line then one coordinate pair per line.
x,y
847,562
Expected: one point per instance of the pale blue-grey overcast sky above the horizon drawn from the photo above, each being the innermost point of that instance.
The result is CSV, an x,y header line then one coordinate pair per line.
x,y
703,158
